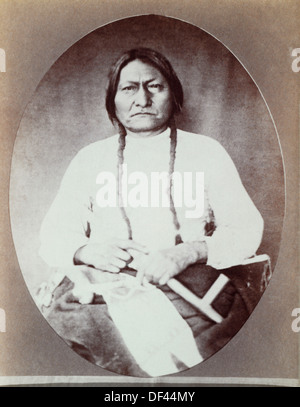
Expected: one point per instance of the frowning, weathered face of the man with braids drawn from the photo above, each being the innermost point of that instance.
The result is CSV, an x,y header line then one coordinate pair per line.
x,y
143,99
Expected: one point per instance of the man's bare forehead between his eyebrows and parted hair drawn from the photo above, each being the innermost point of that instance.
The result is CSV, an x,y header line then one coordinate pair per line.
x,y
138,70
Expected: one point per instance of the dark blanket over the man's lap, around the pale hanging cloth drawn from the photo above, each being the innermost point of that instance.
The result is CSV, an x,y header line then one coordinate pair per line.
x,y
90,331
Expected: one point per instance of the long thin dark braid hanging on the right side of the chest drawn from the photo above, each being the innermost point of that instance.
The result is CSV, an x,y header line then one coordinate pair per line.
x,y
173,145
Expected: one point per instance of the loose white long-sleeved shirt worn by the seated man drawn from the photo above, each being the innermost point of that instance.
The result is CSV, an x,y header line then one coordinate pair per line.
x,y
75,217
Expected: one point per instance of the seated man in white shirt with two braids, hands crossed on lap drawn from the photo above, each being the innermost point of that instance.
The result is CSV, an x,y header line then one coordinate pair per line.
x,y
109,221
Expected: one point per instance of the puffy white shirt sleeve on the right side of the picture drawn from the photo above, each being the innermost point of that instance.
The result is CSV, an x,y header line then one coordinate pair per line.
x,y
239,225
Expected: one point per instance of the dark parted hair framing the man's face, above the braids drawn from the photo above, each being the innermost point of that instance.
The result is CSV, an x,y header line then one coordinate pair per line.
x,y
153,58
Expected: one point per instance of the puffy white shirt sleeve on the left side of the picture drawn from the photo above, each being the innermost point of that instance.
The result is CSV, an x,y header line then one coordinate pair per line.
x,y
65,227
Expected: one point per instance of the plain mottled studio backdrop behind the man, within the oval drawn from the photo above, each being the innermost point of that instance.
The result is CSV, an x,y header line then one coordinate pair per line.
x,y
67,112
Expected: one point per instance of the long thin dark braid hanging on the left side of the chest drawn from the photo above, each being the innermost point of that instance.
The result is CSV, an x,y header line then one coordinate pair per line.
x,y
122,144
